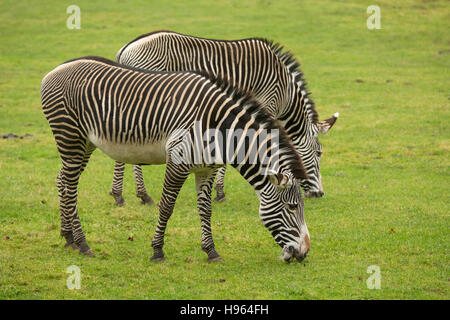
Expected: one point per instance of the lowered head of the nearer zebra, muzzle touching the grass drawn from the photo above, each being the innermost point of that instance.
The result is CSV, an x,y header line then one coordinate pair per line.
x,y
281,212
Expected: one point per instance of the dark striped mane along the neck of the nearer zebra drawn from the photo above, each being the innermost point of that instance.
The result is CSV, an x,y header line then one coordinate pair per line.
x,y
247,101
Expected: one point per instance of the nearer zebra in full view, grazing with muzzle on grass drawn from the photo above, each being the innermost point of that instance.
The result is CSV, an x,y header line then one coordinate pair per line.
x,y
143,117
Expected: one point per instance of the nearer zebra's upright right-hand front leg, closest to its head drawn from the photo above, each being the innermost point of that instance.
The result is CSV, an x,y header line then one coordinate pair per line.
x,y
204,182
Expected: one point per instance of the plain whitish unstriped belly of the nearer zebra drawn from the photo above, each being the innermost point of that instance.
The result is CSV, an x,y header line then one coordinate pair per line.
x,y
154,153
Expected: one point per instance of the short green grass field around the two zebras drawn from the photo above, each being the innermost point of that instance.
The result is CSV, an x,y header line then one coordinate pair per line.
x,y
385,164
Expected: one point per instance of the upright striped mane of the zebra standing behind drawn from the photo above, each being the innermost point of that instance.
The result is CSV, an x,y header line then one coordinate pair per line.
x,y
293,66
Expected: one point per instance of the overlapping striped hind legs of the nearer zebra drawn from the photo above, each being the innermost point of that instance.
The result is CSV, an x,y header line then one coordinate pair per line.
x,y
67,182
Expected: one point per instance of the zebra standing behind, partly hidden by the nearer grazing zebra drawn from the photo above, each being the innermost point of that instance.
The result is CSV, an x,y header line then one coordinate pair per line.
x,y
255,64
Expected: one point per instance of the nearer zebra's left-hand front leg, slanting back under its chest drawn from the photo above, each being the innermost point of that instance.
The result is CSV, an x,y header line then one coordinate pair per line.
x,y
174,178
